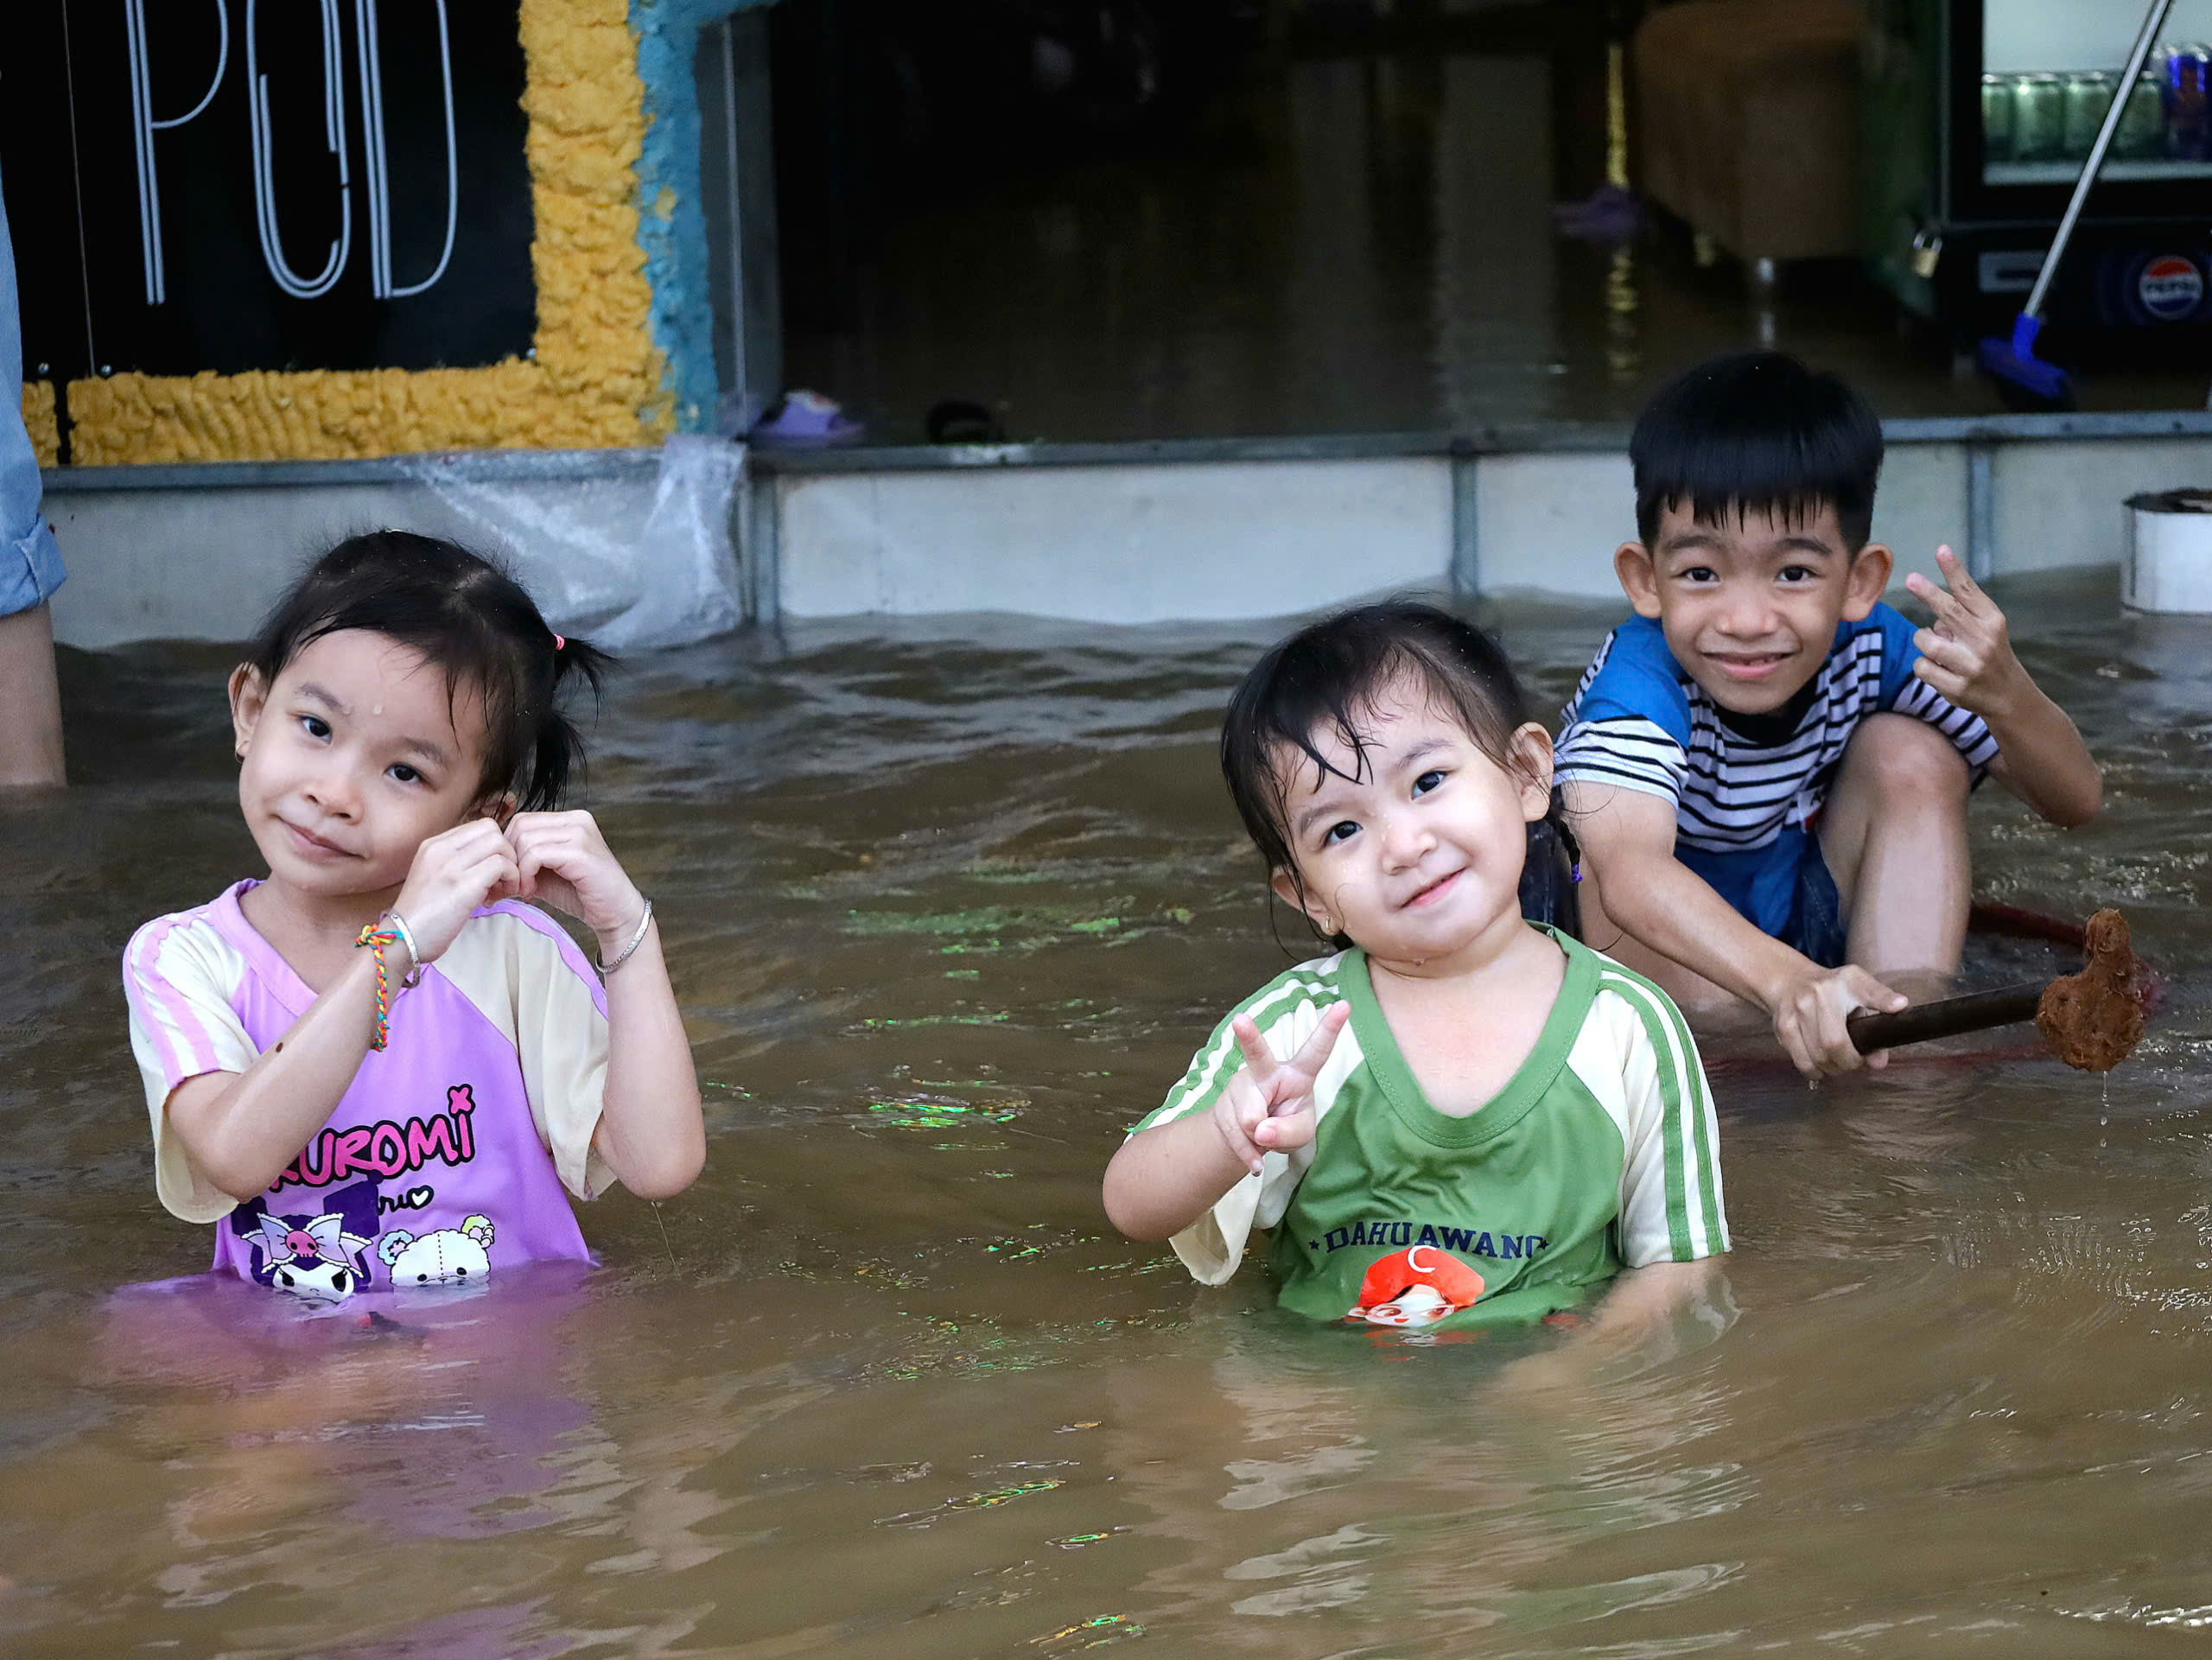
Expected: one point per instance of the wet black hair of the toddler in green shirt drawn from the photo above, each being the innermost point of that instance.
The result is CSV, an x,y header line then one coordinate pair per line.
x,y
1324,681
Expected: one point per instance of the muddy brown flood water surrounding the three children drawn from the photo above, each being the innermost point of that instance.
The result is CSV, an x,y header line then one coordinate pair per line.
x,y
950,909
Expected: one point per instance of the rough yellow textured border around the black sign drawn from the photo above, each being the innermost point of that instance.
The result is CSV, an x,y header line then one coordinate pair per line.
x,y
596,377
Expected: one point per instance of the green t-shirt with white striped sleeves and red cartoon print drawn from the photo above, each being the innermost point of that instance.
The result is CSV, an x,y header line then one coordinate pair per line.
x,y
1600,1154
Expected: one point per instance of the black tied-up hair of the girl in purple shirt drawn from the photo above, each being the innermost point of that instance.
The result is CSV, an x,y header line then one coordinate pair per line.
x,y
466,616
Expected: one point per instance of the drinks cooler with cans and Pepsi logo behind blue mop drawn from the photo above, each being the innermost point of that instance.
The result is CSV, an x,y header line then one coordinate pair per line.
x,y
1979,121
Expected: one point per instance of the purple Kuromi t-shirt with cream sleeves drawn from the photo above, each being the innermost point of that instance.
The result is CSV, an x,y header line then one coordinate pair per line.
x,y
455,1150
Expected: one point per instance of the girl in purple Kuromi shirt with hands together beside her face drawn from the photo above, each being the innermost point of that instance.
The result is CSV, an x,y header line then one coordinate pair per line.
x,y
379,1068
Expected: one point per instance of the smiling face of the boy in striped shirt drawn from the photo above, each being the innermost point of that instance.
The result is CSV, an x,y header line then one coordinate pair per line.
x,y
1751,608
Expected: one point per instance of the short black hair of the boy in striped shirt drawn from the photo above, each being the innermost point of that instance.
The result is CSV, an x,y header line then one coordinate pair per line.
x,y
1757,433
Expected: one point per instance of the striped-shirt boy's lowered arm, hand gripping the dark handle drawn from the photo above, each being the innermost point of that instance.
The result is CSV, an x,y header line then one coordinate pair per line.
x,y
1629,851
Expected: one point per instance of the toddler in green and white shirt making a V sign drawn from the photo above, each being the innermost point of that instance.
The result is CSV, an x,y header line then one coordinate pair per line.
x,y
1457,1117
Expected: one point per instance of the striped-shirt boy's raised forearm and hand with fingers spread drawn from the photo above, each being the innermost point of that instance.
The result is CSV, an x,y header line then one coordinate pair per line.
x,y
1970,658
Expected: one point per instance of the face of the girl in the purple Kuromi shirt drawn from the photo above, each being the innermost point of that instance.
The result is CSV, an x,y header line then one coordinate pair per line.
x,y
353,760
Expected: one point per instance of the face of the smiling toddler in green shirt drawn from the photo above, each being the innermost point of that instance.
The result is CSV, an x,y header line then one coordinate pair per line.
x,y
1419,855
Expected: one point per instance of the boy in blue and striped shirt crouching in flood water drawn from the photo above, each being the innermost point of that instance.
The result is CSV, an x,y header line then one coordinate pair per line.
x,y
1768,767
